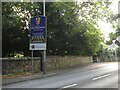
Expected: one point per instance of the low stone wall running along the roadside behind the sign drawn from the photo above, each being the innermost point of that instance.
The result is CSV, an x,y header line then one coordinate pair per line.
x,y
24,65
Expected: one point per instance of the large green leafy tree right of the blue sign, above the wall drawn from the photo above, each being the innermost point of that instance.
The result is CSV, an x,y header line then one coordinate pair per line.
x,y
75,30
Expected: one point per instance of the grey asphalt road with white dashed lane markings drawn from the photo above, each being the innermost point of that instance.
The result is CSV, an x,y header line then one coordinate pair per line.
x,y
98,75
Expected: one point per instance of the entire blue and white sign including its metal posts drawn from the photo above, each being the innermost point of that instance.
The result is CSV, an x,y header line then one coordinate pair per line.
x,y
38,37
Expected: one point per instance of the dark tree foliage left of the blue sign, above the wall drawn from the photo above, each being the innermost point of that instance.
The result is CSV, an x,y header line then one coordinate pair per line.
x,y
16,17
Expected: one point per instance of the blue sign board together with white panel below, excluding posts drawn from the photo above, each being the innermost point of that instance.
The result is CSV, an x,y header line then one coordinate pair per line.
x,y
38,36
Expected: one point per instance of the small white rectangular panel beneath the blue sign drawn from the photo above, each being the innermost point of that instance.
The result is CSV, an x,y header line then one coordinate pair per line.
x,y
37,46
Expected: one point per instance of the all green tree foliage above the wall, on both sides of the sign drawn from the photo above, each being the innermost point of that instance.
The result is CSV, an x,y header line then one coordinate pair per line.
x,y
72,27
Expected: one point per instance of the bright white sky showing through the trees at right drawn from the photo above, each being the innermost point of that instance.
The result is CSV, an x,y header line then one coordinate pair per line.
x,y
106,28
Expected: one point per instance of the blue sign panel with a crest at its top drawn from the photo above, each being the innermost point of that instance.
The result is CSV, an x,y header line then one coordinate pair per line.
x,y
38,29
